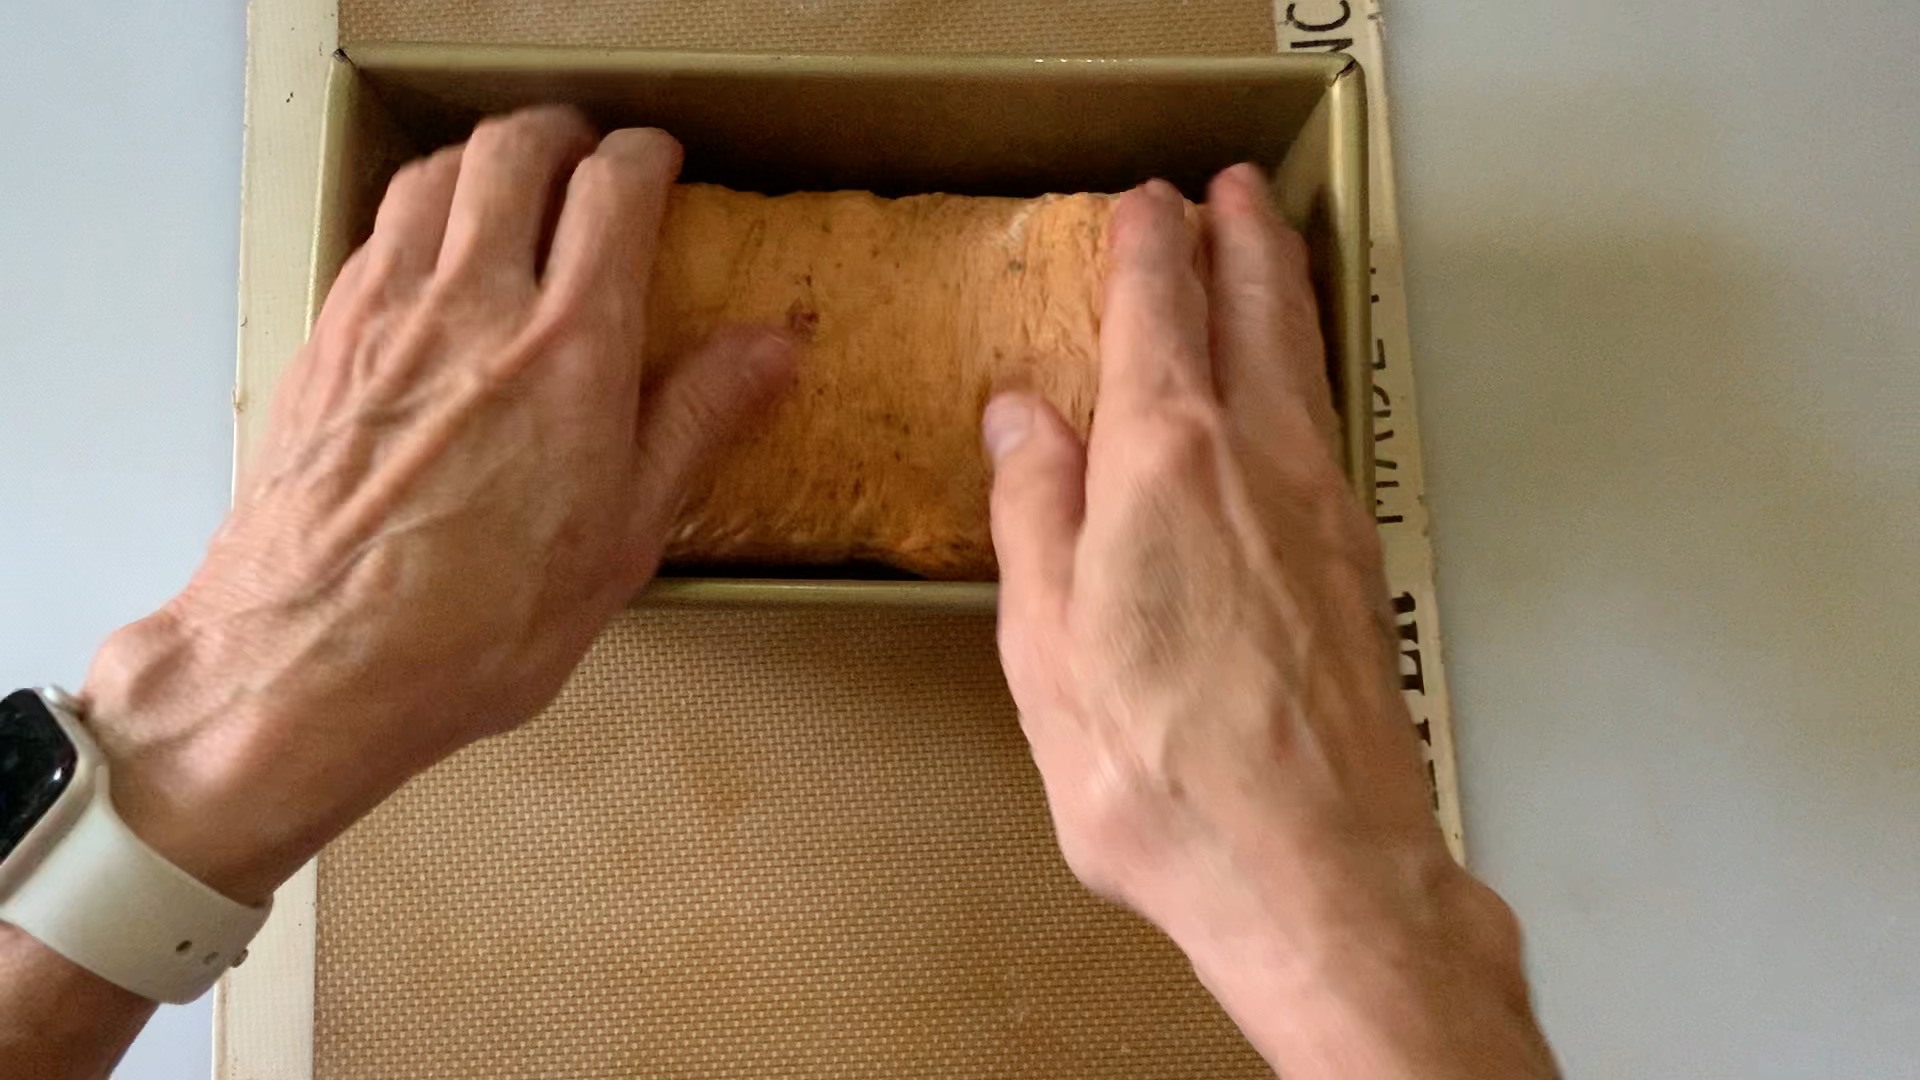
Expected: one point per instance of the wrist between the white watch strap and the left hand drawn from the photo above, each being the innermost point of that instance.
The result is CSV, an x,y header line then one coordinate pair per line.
x,y
191,764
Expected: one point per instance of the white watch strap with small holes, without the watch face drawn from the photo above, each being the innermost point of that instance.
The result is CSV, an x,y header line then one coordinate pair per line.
x,y
114,906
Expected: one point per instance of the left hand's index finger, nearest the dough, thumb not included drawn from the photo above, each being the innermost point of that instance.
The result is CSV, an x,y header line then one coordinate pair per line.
x,y
612,224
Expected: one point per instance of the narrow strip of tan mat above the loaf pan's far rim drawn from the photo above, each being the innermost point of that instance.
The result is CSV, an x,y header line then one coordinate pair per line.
x,y
828,26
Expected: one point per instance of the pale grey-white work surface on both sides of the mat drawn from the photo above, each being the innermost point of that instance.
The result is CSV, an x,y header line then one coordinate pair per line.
x,y
1668,328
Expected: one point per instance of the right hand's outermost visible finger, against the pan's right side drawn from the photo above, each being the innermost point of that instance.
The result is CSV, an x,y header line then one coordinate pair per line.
x,y
1270,362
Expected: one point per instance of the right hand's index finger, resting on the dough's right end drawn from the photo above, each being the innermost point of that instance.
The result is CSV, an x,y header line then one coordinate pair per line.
x,y
1153,328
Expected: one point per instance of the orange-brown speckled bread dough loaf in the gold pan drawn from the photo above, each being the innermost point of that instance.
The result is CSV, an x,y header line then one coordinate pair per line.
x,y
911,314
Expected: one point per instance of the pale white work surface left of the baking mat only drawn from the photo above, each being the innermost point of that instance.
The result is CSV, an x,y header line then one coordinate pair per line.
x,y
120,222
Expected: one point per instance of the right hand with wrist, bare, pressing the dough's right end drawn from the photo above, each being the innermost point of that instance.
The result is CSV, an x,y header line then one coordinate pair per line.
x,y
1195,627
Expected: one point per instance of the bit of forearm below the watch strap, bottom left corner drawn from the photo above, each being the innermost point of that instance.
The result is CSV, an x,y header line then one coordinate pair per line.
x,y
59,1019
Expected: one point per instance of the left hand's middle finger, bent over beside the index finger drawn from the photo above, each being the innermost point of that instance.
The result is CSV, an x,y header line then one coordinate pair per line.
x,y
506,191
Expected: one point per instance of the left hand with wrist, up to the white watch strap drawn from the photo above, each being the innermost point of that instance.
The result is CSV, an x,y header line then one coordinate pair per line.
x,y
468,476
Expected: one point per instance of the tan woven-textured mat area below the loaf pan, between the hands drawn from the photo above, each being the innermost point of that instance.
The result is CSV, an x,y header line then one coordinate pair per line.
x,y
794,845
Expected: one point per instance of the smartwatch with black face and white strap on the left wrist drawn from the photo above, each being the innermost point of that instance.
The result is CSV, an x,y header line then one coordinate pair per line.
x,y
80,881
